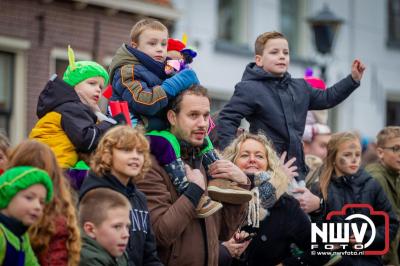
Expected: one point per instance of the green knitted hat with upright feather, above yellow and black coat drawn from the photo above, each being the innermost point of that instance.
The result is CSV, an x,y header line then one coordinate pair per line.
x,y
79,71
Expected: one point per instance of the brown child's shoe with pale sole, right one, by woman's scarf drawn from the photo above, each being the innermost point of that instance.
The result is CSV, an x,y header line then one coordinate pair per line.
x,y
224,190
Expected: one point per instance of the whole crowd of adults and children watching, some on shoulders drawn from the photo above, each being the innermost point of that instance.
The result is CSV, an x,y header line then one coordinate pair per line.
x,y
162,183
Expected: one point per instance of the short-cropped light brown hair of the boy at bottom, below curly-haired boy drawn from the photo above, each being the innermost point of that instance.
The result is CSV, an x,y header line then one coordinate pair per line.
x,y
102,200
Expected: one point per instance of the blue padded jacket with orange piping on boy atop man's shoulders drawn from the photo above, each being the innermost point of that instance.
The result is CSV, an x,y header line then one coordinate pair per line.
x,y
136,78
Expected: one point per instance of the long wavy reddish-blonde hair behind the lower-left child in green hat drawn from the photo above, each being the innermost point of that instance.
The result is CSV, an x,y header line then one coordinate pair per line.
x,y
33,153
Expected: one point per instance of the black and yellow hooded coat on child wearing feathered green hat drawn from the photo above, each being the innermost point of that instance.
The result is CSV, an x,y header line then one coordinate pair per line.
x,y
66,124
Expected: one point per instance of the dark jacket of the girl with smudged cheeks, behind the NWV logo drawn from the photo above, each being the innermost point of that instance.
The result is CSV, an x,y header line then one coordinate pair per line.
x,y
359,188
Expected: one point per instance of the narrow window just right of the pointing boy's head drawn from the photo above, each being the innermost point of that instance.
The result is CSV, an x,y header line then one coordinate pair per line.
x,y
290,24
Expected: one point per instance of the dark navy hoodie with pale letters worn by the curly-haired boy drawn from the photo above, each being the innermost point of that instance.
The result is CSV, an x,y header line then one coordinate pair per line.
x,y
142,244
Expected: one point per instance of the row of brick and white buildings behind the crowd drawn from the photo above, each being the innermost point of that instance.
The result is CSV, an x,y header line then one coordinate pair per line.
x,y
34,35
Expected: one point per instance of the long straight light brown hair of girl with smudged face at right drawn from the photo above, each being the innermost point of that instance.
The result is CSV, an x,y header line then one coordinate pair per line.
x,y
328,166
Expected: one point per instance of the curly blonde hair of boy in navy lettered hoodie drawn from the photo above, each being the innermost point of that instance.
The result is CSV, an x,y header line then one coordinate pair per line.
x,y
120,137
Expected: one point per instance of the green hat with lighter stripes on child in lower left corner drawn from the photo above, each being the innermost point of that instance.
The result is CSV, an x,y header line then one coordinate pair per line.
x,y
19,178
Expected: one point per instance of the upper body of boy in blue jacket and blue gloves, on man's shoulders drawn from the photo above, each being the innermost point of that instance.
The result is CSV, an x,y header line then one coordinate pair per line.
x,y
137,74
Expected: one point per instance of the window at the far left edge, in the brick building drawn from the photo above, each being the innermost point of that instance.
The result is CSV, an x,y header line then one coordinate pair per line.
x,y
6,89
